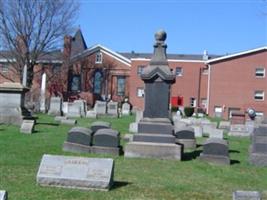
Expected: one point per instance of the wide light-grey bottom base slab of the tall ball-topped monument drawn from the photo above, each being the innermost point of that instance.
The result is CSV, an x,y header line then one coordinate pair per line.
x,y
153,150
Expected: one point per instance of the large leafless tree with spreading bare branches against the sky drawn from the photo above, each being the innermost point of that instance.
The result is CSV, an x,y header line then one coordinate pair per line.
x,y
31,28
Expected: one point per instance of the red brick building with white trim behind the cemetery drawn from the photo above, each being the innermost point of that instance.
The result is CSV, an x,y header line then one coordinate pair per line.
x,y
219,85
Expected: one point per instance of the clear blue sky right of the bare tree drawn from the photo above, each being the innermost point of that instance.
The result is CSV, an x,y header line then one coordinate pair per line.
x,y
219,26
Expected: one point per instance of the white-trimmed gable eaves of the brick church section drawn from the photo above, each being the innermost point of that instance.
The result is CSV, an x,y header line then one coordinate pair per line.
x,y
105,50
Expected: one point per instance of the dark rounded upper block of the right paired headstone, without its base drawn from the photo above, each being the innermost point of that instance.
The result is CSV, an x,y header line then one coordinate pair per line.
x,y
106,138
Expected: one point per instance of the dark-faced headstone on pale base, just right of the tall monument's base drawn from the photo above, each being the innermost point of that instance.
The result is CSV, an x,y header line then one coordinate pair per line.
x,y
186,137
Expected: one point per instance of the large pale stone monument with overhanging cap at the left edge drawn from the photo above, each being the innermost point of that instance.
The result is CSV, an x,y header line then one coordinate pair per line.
x,y
12,109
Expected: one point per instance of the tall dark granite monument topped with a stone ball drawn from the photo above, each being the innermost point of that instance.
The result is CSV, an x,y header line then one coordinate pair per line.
x,y
155,131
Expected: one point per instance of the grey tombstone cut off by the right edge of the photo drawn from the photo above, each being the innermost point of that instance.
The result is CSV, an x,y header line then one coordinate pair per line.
x,y
258,148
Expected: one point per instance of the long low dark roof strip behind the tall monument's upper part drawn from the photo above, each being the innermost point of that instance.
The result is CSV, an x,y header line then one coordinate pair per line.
x,y
169,56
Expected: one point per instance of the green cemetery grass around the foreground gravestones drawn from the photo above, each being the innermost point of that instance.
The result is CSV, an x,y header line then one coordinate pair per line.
x,y
189,179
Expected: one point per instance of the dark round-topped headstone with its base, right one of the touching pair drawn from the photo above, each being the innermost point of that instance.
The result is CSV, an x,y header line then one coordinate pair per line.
x,y
106,141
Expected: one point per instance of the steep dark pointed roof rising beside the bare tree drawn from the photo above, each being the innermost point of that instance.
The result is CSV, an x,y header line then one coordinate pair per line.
x,y
78,44
